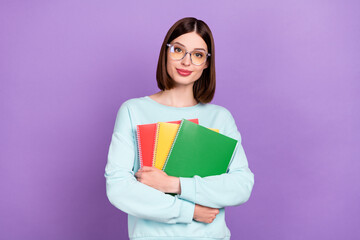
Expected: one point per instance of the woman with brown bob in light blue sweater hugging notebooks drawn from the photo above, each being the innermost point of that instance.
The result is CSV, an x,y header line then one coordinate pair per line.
x,y
186,78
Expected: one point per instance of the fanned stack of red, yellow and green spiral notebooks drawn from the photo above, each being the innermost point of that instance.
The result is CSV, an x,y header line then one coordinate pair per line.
x,y
184,148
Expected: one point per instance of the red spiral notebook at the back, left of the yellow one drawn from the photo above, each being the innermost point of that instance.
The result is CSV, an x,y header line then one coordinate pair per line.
x,y
146,134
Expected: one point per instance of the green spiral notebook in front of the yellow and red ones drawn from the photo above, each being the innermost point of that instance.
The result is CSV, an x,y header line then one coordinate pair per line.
x,y
197,150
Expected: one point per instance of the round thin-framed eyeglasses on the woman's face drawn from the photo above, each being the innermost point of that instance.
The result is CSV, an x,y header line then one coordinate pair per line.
x,y
178,52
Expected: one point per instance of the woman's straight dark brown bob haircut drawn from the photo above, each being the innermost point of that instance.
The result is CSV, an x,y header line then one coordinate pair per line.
x,y
204,87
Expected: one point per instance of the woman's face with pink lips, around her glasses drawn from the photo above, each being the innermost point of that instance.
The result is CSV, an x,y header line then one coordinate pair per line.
x,y
190,41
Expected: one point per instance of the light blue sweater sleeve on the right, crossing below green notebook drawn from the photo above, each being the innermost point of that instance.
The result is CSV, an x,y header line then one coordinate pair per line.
x,y
229,189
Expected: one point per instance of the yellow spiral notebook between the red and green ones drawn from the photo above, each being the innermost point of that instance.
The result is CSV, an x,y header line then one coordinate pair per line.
x,y
165,135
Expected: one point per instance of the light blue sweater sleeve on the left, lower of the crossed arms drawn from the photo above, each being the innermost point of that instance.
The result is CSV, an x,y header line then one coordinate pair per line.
x,y
129,195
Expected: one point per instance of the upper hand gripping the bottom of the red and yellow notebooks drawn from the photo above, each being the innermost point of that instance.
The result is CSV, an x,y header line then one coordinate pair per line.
x,y
158,179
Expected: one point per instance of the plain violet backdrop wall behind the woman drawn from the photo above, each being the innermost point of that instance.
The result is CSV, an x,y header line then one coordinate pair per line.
x,y
287,70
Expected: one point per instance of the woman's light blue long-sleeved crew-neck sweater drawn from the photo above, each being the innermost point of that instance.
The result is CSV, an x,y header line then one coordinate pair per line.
x,y
154,215
